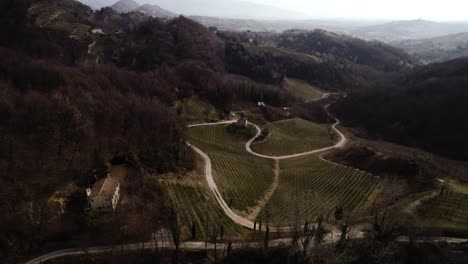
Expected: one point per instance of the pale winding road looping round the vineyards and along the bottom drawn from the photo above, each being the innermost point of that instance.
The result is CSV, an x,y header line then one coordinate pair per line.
x,y
166,243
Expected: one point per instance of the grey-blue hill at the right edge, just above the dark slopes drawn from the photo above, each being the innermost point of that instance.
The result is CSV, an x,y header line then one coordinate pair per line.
x,y
436,49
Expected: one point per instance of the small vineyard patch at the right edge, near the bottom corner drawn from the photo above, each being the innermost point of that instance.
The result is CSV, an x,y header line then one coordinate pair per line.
x,y
448,211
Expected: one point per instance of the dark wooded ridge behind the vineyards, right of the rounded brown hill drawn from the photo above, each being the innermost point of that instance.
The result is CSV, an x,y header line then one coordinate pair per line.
x,y
332,73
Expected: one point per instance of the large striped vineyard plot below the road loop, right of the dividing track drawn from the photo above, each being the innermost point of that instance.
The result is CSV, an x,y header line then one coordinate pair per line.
x,y
309,186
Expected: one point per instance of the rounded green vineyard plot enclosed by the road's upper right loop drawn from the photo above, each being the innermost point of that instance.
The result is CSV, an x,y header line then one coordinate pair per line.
x,y
293,136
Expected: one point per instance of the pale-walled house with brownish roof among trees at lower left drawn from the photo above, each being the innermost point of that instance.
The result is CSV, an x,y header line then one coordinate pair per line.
x,y
104,196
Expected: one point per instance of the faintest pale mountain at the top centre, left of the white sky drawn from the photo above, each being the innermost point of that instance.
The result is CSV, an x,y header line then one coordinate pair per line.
x,y
226,9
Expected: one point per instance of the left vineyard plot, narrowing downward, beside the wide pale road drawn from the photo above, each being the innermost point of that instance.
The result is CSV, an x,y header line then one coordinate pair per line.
x,y
241,178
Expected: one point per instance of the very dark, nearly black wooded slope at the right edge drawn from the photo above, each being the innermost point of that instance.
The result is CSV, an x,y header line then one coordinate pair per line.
x,y
424,110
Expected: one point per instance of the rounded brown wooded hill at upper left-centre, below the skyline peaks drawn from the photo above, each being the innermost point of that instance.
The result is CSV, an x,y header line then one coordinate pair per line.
x,y
154,42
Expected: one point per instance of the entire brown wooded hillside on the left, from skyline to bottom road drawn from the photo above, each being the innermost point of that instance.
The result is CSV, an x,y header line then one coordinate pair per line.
x,y
81,88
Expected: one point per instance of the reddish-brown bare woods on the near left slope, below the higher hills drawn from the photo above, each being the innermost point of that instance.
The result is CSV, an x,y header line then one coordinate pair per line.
x,y
54,118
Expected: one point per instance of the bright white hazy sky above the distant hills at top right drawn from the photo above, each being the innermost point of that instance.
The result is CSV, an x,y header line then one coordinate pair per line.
x,y
442,10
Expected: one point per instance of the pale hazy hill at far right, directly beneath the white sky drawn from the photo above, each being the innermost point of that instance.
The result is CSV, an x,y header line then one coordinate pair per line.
x,y
412,29
